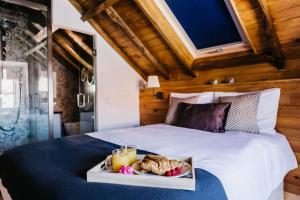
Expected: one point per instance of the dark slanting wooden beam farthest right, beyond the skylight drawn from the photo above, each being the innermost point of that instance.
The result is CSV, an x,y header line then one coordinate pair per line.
x,y
277,53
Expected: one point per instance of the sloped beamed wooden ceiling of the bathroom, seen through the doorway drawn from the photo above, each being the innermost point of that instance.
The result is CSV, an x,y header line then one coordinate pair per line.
x,y
73,49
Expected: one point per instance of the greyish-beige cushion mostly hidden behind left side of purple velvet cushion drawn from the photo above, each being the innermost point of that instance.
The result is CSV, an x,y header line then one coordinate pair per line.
x,y
172,114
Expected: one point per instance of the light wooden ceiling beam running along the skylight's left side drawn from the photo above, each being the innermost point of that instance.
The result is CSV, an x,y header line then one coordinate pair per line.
x,y
167,32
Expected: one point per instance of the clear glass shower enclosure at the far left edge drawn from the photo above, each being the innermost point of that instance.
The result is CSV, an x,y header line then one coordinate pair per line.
x,y
24,72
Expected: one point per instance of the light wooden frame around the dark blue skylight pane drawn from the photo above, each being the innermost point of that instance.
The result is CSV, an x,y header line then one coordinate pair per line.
x,y
197,53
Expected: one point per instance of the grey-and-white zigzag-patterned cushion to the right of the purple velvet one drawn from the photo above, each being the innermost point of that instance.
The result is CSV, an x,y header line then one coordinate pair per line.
x,y
242,115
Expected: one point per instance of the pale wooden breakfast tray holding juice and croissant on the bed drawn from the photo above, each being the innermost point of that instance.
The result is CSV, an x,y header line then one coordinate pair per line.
x,y
99,174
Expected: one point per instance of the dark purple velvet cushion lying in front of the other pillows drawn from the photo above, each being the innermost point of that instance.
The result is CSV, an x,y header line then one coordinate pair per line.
x,y
206,117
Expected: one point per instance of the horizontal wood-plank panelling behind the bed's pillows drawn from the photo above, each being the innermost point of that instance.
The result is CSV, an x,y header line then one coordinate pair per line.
x,y
153,111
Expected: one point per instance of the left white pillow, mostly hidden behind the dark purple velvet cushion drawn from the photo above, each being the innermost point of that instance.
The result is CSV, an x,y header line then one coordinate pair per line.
x,y
204,97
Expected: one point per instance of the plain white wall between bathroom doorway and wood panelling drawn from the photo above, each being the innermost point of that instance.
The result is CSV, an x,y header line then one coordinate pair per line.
x,y
117,87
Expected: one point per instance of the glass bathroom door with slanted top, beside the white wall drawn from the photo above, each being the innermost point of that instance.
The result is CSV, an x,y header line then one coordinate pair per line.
x,y
74,82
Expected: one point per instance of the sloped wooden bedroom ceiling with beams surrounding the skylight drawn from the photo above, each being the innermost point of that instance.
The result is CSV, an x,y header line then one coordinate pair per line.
x,y
139,32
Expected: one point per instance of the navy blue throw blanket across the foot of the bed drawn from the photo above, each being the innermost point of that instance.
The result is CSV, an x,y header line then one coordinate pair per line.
x,y
56,170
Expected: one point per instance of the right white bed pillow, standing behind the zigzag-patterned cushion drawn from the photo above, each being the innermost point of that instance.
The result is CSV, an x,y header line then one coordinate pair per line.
x,y
267,108
